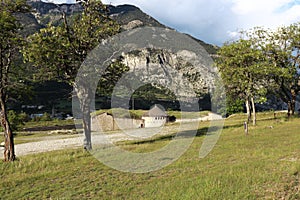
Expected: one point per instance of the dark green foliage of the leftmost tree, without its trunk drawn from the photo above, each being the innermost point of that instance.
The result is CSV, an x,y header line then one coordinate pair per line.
x,y
10,43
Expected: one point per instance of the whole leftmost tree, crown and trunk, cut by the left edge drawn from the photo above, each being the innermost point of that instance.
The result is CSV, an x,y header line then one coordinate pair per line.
x,y
10,43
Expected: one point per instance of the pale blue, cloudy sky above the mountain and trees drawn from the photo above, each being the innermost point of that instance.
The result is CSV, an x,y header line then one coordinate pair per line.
x,y
216,21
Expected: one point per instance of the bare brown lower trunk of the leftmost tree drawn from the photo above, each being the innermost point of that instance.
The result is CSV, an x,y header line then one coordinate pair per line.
x,y
9,147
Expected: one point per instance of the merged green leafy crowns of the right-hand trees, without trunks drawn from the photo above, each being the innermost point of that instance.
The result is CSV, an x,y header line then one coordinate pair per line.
x,y
260,62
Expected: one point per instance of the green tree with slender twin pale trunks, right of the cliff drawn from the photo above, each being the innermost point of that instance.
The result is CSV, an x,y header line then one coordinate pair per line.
x,y
243,68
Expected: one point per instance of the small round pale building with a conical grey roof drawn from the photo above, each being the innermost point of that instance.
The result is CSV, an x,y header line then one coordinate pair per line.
x,y
155,117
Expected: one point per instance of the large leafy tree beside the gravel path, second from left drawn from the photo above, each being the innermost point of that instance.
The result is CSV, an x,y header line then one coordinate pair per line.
x,y
58,51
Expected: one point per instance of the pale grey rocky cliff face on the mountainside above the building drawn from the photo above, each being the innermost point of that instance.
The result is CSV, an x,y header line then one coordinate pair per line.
x,y
175,70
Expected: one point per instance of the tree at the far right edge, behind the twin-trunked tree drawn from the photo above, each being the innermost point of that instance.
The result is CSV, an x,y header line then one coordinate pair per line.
x,y
283,50
